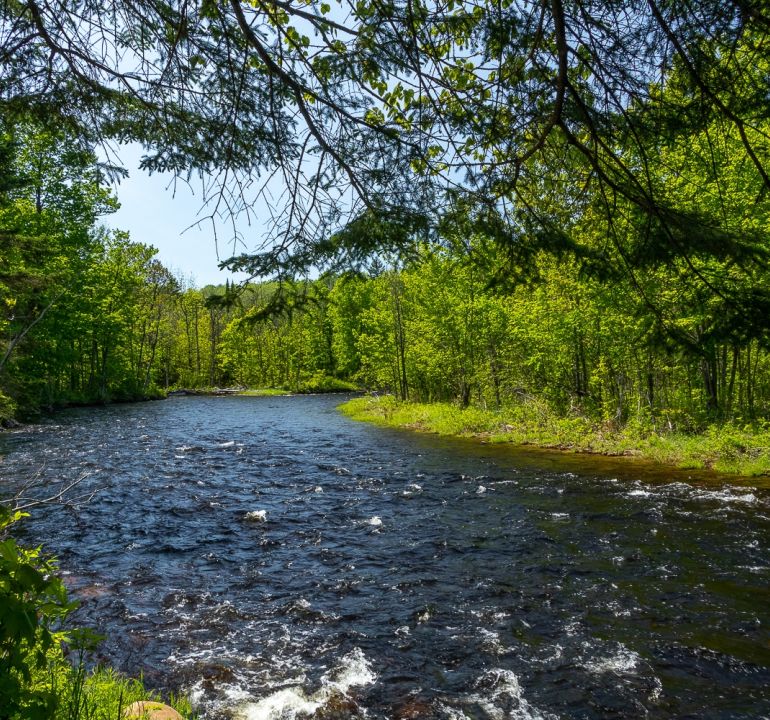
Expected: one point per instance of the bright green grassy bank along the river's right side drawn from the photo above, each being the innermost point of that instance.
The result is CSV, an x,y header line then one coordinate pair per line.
x,y
724,448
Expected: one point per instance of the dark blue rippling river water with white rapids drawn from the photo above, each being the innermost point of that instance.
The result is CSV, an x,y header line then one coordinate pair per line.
x,y
274,559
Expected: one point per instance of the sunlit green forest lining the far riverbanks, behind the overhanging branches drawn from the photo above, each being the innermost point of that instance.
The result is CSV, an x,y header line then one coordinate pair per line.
x,y
90,315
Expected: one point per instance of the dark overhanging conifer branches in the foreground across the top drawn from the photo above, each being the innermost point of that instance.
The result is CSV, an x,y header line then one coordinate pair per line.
x,y
514,114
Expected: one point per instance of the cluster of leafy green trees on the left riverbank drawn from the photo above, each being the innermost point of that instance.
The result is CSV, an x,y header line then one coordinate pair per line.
x,y
83,312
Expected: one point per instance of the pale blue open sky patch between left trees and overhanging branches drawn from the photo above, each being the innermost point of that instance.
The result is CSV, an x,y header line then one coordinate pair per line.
x,y
158,212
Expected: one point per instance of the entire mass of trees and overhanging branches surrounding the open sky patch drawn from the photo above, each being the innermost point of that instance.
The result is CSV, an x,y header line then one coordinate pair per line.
x,y
556,203
